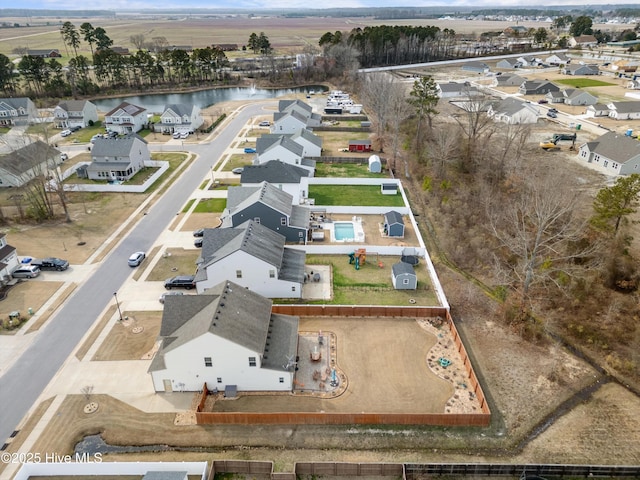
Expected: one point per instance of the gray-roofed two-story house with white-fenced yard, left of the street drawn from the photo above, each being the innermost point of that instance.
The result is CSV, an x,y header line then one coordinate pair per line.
x,y
117,158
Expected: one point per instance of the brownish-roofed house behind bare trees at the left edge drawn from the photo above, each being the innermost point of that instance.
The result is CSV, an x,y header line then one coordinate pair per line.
x,y
20,166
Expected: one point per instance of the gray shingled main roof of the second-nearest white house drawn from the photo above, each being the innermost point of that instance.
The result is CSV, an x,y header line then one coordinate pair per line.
x,y
253,238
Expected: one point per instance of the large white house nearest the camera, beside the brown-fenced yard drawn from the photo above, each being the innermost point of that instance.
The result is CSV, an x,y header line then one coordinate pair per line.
x,y
226,337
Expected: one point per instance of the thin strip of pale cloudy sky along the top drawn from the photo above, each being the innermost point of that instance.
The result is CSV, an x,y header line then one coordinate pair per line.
x,y
271,4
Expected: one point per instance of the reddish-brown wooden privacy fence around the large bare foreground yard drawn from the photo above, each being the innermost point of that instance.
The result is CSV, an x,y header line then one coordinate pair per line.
x,y
295,418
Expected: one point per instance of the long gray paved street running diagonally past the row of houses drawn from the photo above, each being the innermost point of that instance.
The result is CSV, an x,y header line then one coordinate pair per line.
x,y
21,385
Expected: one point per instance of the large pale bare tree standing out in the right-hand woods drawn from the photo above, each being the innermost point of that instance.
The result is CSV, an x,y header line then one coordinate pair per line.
x,y
539,233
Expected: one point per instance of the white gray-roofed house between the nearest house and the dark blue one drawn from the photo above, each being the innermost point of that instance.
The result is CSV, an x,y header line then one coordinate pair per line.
x,y
253,256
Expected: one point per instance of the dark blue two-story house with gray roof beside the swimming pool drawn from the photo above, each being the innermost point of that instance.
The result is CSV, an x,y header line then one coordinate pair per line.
x,y
270,206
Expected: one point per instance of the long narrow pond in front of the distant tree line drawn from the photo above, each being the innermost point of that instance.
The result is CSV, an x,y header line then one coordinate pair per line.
x,y
155,103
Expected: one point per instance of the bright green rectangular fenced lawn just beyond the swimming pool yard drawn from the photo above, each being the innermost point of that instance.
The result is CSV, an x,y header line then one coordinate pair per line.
x,y
357,195
